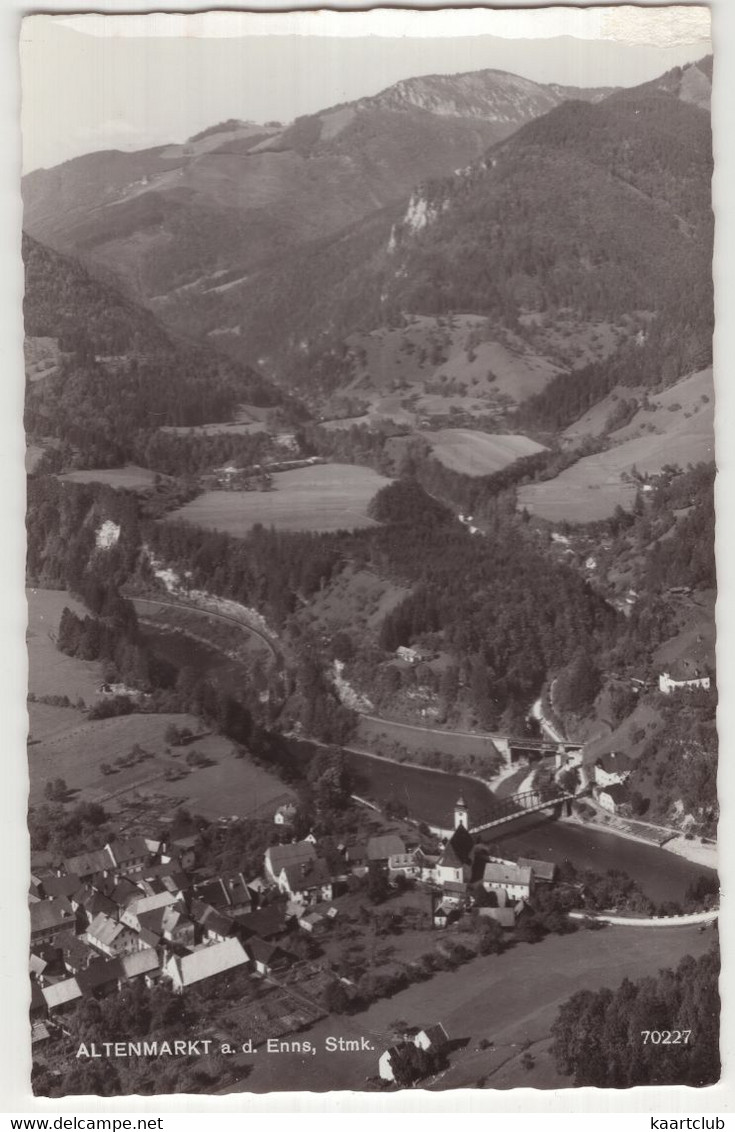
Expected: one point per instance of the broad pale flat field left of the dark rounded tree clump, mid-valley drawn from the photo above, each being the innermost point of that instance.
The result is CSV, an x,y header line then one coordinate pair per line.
x,y
322,498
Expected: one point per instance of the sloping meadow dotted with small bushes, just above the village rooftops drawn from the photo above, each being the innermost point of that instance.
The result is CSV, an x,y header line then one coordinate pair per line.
x,y
75,749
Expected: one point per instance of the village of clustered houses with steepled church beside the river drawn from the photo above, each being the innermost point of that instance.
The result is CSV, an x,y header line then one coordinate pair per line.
x,y
149,913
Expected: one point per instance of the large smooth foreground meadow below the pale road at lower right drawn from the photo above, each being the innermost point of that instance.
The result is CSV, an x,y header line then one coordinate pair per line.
x,y
508,1000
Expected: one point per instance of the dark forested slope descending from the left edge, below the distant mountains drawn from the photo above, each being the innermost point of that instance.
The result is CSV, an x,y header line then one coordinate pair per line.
x,y
121,375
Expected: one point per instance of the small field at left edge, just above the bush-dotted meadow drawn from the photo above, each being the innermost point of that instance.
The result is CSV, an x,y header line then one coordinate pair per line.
x,y
50,672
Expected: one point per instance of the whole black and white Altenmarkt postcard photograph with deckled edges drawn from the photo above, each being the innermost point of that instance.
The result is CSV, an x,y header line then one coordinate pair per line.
x,y
370,416
